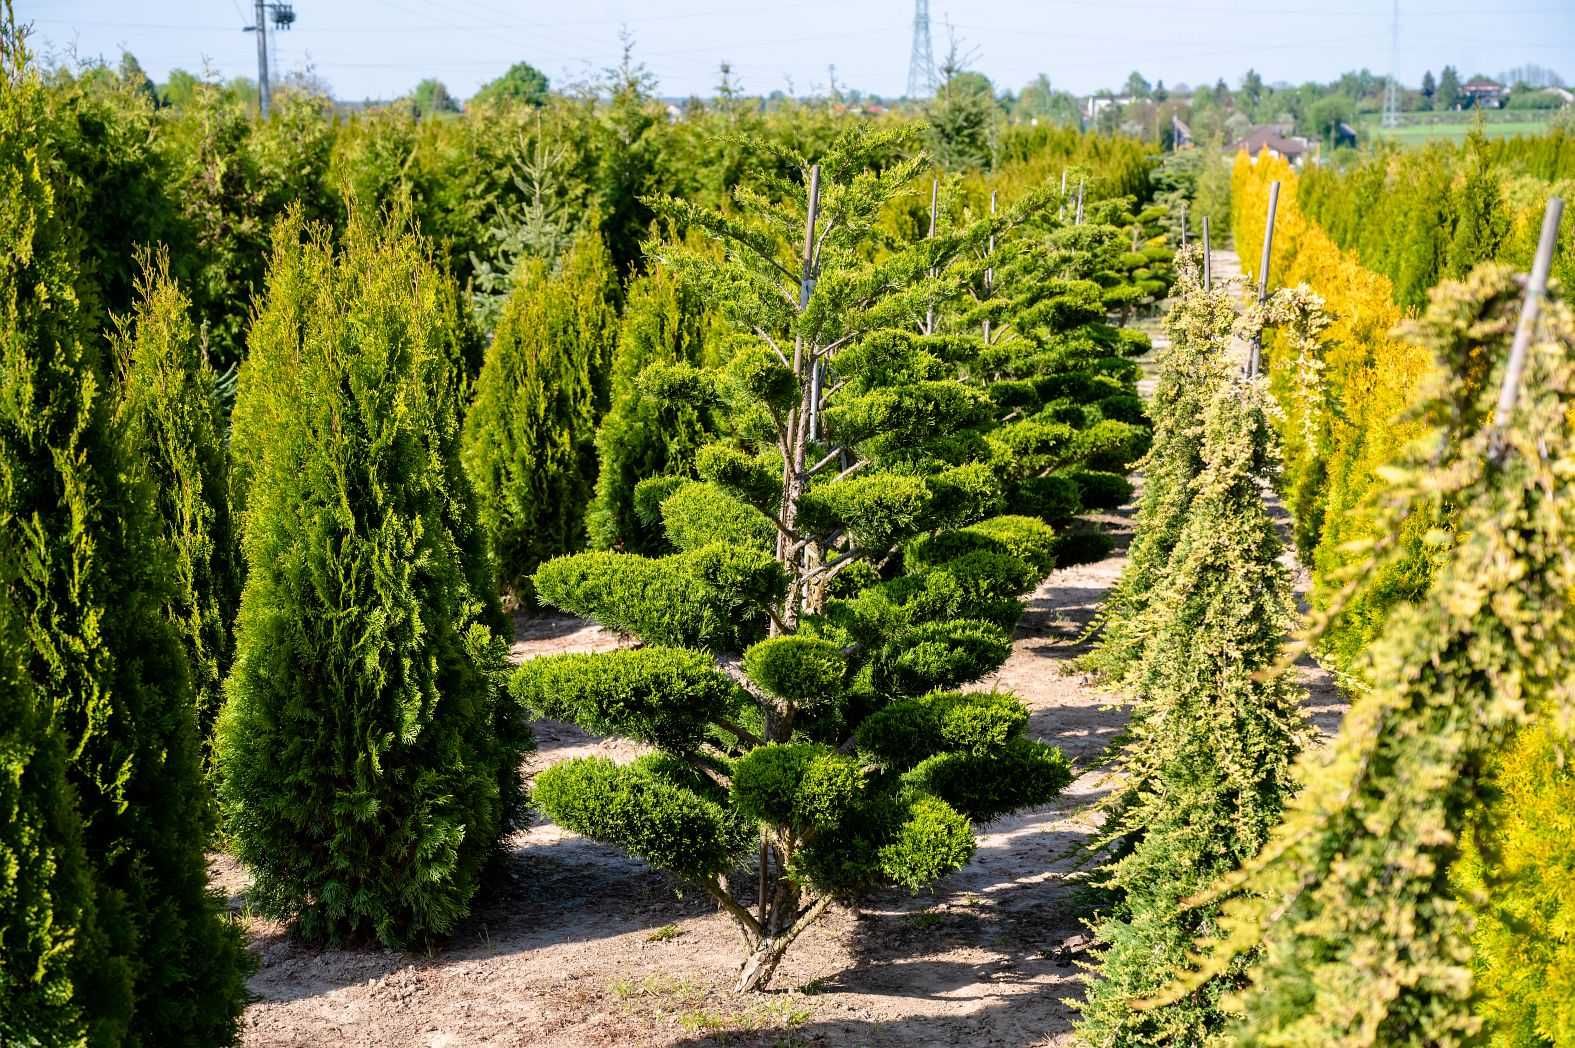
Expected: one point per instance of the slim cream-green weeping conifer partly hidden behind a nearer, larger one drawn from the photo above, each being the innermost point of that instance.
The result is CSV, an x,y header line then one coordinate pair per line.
x,y
1191,371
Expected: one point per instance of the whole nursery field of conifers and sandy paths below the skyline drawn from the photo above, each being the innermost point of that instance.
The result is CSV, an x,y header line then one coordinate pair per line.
x,y
584,571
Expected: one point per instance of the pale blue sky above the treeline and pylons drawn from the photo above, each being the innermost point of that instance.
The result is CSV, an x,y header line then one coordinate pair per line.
x,y
380,48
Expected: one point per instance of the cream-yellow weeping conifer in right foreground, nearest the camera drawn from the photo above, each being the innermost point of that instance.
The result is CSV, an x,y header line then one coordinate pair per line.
x,y
1351,905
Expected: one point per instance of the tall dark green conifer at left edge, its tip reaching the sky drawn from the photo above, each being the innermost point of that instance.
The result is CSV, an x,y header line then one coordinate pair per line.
x,y
86,568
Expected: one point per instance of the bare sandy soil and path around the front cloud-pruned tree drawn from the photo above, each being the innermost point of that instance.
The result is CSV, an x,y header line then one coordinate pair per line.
x,y
579,946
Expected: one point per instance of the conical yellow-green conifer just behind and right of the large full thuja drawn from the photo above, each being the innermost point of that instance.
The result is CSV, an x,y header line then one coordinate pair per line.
x,y
530,436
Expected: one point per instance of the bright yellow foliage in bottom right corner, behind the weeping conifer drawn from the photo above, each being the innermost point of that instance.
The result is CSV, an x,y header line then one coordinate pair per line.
x,y
1518,880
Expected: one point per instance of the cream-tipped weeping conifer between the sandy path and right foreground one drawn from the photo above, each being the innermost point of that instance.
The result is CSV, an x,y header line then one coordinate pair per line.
x,y
1209,754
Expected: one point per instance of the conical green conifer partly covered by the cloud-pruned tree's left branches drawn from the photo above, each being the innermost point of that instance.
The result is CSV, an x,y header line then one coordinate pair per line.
x,y
643,437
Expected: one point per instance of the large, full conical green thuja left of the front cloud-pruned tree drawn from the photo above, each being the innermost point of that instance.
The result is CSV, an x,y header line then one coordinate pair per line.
x,y
368,760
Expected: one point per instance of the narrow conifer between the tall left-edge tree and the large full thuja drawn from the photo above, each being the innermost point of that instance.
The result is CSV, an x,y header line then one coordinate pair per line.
x,y
177,433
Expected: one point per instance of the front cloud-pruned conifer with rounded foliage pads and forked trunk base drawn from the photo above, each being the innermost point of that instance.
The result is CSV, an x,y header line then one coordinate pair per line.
x,y
843,541
